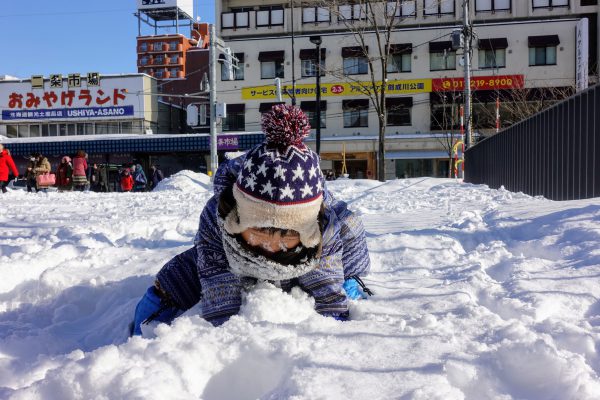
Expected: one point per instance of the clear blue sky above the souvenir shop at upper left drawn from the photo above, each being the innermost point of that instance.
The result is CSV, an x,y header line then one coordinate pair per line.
x,y
73,36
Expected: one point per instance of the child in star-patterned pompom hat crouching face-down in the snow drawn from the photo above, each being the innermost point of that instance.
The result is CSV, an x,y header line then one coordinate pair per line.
x,y
271,219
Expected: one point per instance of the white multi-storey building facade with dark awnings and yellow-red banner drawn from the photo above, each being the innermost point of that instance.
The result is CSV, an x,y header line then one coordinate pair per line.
x,y
522,48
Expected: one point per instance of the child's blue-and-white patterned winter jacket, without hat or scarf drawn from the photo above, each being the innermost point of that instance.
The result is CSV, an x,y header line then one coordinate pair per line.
x,y
209,280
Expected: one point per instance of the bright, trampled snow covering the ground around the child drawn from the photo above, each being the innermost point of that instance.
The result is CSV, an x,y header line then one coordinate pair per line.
x,y
480,294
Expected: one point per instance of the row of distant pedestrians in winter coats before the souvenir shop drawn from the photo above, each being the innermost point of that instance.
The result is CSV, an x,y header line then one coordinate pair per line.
x,y
75,174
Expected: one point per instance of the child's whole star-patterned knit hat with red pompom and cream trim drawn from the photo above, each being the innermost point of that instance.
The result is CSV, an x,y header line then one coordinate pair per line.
x,y
280,184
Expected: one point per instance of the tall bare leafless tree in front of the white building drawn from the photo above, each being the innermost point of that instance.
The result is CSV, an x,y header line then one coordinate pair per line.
x,y
369,22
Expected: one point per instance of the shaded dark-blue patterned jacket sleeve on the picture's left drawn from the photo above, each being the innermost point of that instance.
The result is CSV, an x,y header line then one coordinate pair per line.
x,y
221,290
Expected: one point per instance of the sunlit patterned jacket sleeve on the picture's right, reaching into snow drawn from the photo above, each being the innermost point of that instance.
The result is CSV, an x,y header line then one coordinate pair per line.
x,y
325,282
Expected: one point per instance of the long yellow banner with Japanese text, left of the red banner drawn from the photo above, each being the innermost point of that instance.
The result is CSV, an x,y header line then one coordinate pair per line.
x,y
338,89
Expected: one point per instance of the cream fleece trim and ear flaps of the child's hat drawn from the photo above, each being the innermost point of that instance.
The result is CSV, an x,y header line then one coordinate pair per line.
x,y
255,213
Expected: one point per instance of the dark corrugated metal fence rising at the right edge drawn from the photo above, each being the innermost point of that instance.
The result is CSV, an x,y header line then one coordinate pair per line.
x,y
555,153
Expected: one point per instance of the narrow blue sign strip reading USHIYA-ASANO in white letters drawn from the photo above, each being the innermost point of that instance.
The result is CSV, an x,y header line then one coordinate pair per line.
x,y
83,112
